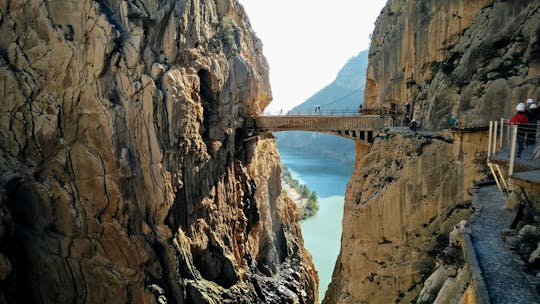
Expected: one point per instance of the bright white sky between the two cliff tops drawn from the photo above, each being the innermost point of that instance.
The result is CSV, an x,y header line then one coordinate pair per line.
x,y
306,42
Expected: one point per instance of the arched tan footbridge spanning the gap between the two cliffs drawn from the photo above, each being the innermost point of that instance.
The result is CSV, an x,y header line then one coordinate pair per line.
x,y
362,128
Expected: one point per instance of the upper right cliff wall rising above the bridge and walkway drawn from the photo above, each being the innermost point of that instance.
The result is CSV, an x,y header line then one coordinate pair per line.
x,y
473,59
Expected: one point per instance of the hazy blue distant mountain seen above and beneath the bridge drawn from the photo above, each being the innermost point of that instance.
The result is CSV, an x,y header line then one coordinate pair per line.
x,y
346,91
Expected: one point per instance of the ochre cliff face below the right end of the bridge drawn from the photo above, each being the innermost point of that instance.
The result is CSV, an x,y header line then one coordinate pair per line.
x,y
403,199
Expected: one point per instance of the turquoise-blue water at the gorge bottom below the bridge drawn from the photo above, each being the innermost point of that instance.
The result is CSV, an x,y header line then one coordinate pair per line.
x,y
322,232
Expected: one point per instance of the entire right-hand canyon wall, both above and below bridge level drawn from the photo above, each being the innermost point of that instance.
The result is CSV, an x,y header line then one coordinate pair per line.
x,y
472,59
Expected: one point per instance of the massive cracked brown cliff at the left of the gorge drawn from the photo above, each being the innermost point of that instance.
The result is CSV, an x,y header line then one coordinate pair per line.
x,y
124,169
